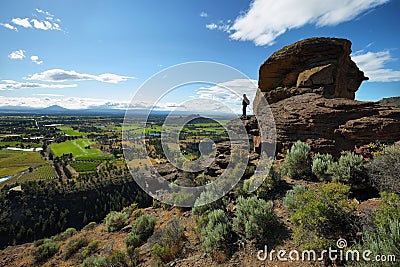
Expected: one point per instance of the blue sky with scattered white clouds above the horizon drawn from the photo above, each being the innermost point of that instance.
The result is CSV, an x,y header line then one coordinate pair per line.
x,y
81,54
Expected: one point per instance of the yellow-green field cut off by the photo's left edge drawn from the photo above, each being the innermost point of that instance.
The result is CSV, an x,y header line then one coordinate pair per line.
x,y
13,162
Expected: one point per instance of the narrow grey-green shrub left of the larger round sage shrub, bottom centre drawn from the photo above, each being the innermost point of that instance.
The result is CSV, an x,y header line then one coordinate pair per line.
x,y
216,232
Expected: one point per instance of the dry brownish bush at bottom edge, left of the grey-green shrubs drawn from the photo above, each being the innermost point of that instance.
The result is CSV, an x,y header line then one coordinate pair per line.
x,y
166,243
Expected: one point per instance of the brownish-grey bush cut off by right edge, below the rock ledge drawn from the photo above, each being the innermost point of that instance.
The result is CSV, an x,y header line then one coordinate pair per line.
x,y
384,170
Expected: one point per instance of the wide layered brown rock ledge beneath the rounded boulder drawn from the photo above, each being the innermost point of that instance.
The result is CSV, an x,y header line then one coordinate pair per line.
x,y
333,125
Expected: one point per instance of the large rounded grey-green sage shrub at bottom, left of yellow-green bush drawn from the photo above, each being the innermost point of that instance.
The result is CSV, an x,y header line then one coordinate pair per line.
x,y
254,217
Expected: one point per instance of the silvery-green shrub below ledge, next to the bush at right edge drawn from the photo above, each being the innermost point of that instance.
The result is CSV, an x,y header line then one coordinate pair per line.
x,y
346,169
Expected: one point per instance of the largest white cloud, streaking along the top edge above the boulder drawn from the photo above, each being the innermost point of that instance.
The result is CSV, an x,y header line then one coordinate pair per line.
x,y
267,19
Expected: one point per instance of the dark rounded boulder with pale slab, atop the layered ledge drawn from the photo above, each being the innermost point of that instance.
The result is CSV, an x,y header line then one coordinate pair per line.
x,y
320,64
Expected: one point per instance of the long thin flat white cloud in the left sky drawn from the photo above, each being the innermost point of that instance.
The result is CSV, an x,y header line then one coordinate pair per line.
x,y
59,75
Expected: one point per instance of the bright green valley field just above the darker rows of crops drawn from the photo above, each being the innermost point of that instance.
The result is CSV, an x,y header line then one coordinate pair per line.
x,y
77,148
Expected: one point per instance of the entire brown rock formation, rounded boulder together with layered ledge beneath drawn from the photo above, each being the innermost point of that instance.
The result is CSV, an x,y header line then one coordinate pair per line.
x,y
310,86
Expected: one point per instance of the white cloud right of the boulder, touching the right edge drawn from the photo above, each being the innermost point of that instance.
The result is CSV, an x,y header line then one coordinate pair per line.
x,y
374,66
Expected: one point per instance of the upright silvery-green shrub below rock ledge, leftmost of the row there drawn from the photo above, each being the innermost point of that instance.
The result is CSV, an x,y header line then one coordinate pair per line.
x,y
296,162
